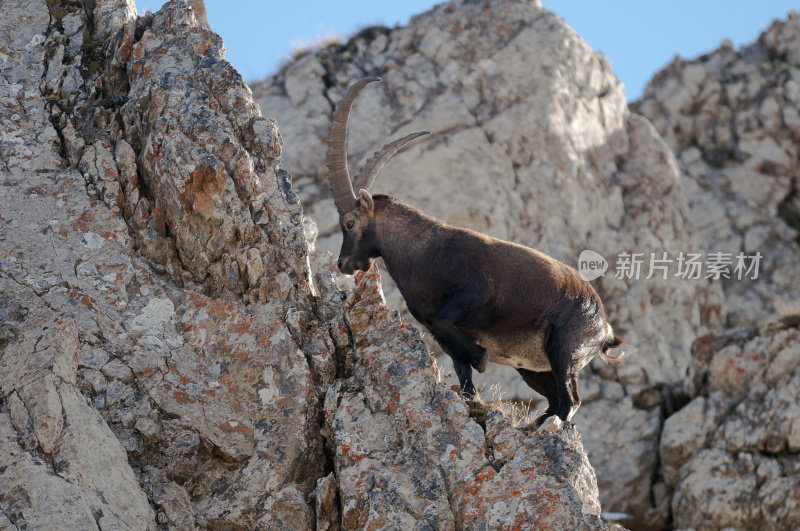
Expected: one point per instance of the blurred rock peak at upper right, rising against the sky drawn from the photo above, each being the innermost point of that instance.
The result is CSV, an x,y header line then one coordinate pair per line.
x,y
733,120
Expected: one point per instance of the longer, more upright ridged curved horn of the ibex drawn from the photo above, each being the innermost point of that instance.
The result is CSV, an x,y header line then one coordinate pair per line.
x,y
338,176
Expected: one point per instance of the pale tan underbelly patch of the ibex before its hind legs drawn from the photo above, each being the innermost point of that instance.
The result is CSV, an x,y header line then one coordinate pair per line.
x,y
522,349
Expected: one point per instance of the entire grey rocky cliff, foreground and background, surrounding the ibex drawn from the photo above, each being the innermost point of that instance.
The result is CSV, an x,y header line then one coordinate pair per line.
x,y
175,354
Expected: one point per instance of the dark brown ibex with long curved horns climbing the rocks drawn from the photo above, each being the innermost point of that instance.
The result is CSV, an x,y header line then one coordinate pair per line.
x,y
482,298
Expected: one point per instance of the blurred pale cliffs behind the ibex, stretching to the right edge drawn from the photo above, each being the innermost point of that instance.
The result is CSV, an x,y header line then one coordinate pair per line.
x,y
533,142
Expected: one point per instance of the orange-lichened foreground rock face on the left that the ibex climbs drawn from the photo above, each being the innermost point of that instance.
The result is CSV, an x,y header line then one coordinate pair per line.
x,y
167,357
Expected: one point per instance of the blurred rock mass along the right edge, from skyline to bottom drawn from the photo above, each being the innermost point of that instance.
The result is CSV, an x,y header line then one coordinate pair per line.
x,y
730,457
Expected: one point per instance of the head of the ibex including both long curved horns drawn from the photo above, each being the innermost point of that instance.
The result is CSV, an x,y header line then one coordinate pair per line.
x,y
356,212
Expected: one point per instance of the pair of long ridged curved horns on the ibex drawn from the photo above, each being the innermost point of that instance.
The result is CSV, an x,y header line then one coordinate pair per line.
x,y
342,186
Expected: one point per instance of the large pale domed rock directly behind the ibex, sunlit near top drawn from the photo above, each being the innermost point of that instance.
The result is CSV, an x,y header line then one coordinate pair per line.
x,y
532,141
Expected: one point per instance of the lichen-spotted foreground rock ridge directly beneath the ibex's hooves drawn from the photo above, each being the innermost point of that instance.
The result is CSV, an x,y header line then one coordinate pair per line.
x,y
398,434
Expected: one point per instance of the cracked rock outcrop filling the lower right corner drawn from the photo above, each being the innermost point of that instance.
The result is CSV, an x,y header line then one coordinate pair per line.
x,y
730,457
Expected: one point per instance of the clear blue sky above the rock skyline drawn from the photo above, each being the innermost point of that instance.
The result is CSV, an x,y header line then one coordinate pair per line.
x,y
639,37
